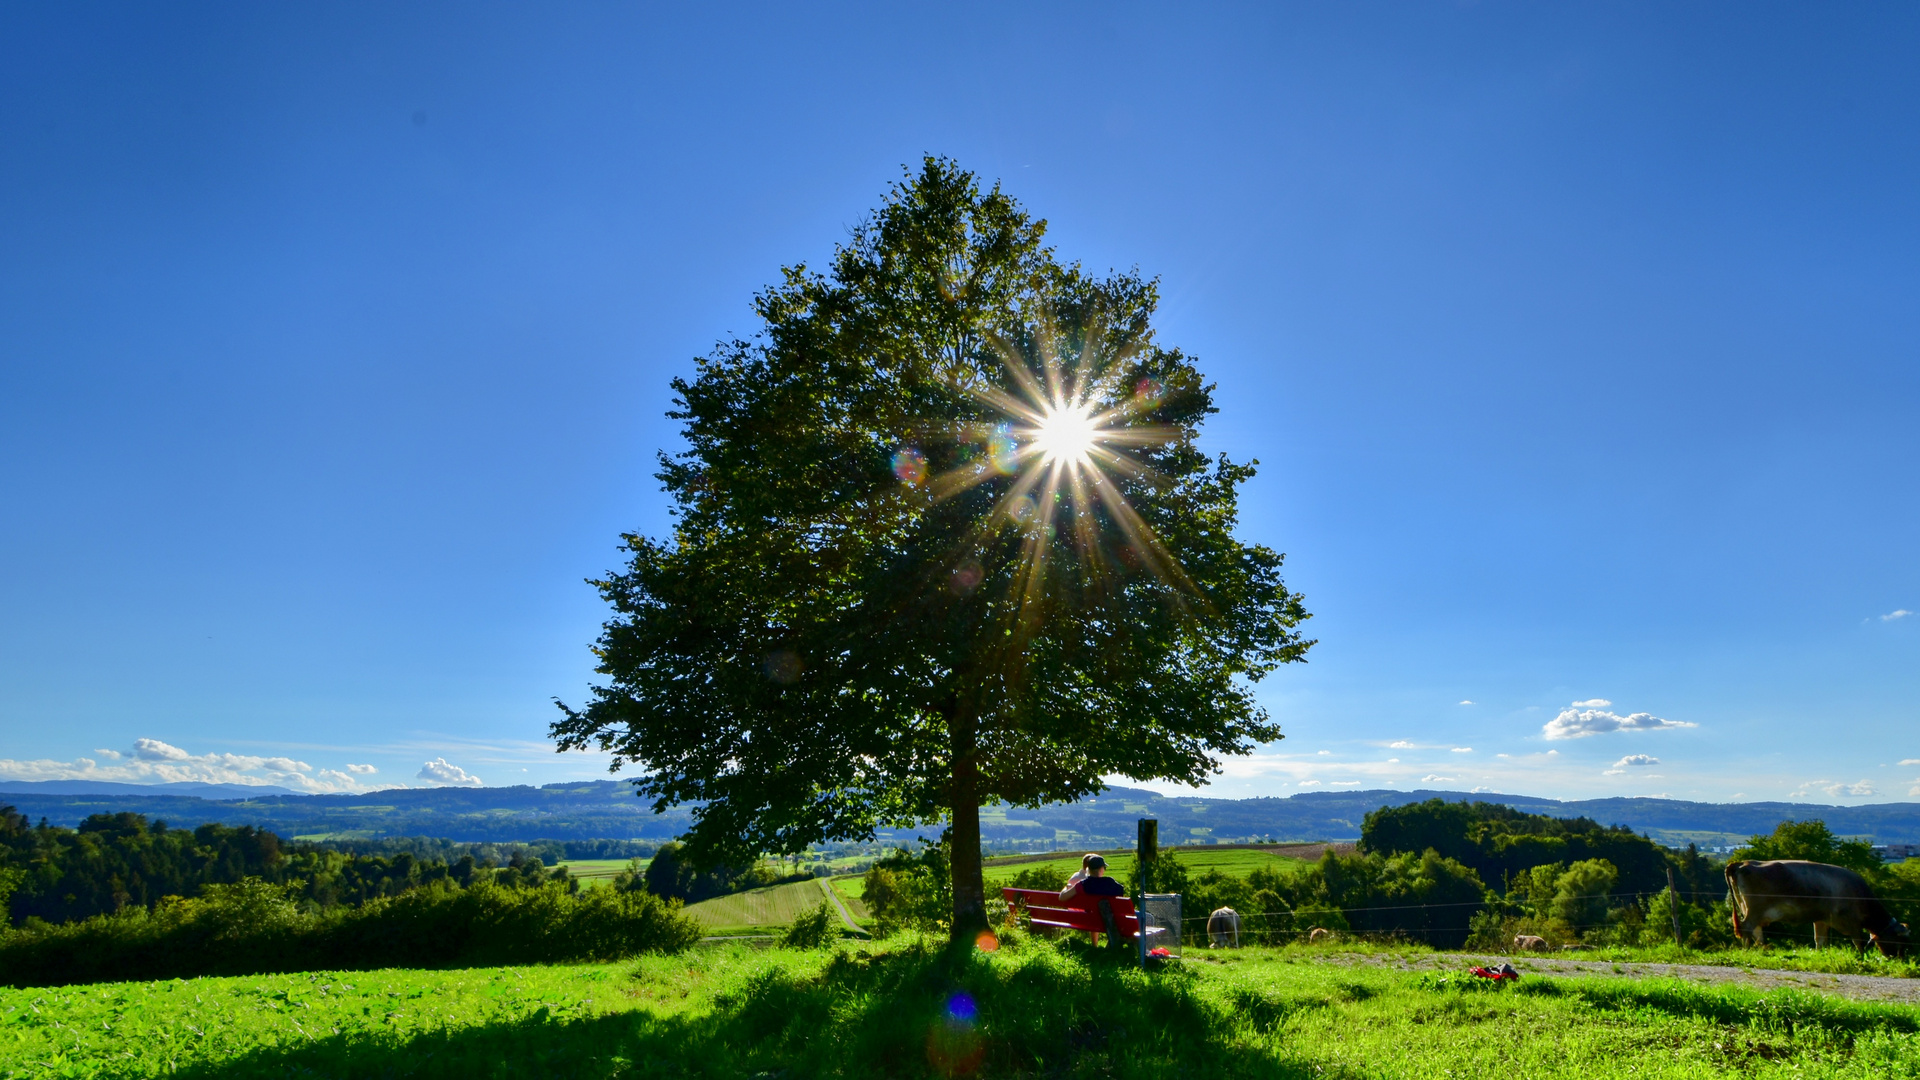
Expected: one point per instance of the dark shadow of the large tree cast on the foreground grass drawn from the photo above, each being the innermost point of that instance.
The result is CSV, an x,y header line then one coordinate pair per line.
x,y
907,1014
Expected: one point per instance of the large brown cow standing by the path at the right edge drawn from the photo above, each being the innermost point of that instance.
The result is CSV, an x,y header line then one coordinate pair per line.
x,y
1796,891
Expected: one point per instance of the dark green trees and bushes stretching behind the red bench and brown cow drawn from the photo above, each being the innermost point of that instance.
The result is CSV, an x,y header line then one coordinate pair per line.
x,y
1452,875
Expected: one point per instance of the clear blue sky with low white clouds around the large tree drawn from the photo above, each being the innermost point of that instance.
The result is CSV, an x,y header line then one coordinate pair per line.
x,y
1577,343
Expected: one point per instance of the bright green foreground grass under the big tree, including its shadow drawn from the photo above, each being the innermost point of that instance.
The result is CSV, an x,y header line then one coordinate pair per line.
x,y
909,1008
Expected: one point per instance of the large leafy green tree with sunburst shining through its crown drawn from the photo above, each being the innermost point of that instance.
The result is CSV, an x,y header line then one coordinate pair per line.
x,y
944,537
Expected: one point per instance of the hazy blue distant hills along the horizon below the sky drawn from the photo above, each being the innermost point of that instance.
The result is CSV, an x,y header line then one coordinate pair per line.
x,y
608,810
